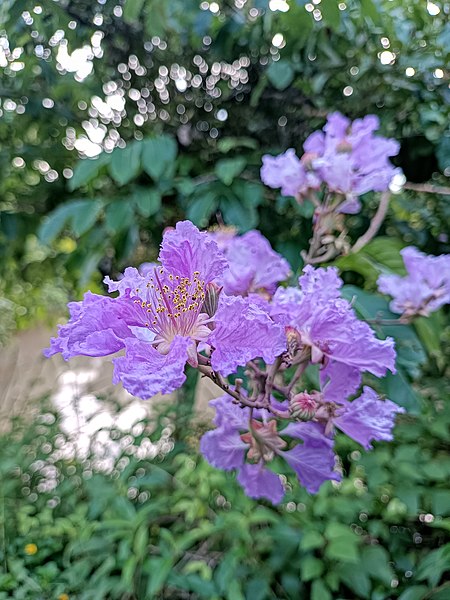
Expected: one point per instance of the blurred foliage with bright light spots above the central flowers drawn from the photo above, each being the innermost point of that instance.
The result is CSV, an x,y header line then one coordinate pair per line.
x,y
180,99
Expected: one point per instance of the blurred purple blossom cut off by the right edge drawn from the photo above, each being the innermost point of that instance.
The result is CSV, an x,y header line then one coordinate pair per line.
x,y
425,288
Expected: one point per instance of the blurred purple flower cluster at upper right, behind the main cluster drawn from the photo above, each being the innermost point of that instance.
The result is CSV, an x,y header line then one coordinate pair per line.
x,y
346,157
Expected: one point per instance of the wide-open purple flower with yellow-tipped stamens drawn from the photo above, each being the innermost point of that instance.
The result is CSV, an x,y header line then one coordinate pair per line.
x,y
159,319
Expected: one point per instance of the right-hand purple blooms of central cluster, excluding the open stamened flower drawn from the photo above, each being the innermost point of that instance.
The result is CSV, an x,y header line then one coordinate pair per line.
x,y
321,328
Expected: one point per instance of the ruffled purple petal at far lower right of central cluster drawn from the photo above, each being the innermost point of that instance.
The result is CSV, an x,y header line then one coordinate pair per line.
x,y
368,418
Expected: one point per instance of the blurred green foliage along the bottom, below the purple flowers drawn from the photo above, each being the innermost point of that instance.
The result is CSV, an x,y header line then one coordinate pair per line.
x,y
167,525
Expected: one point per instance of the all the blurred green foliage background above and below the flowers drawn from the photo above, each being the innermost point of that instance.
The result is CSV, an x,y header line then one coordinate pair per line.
x,y
183,99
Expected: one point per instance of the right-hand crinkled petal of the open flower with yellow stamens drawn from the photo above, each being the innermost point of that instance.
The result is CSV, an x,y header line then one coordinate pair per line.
x,y
243,332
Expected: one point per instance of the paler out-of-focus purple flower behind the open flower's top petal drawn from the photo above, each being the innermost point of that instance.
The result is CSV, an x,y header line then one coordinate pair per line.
x,y
253,264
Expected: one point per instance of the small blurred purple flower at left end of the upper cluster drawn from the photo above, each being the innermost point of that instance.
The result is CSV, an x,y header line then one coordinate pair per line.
x,y
287,172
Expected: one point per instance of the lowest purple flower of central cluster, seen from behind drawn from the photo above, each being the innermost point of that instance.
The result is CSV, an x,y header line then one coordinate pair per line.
x,y
249,447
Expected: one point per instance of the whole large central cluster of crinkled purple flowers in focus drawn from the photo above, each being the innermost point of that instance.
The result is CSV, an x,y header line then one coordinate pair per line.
x,y
213,300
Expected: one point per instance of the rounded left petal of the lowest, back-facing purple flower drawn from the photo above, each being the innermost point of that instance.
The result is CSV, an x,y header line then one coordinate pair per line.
x,y
223,448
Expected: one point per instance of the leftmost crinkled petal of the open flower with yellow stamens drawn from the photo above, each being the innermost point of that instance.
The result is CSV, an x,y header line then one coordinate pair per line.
x,y
98,327
